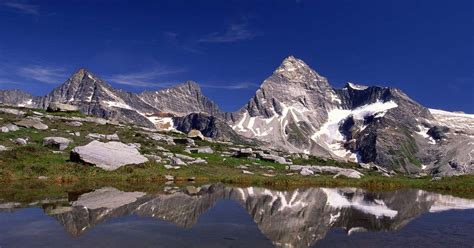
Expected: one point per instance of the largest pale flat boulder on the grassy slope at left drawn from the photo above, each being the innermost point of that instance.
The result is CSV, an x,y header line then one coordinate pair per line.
x,y
108,156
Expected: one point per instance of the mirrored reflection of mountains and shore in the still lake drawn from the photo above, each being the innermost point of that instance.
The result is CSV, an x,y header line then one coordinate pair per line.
x,y
298,218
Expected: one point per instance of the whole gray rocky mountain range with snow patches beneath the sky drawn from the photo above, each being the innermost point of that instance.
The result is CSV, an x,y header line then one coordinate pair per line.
x,y
294,110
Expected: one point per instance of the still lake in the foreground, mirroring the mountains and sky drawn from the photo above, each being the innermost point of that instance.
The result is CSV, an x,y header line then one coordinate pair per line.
x,y
223,216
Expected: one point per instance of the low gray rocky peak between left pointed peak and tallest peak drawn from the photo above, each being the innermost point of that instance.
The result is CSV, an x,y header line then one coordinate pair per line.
x,y
181,100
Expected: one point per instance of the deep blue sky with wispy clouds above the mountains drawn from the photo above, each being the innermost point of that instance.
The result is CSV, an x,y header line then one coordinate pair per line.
x,y
424,47
